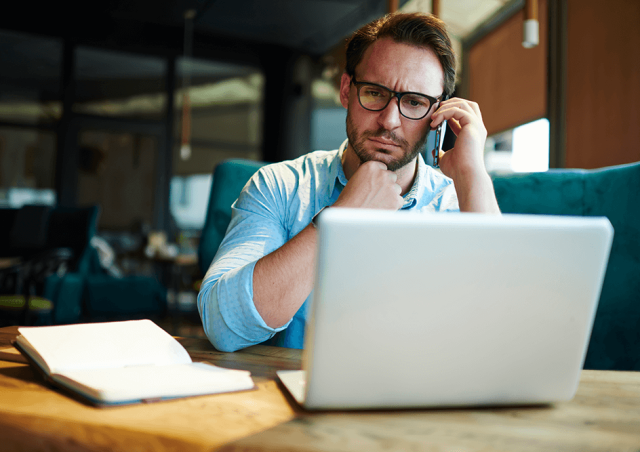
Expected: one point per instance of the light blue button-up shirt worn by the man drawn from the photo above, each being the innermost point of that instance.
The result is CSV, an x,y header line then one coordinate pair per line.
x,y
277,203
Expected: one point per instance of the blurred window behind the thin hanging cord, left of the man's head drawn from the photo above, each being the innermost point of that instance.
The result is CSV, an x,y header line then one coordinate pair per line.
x,y
226,121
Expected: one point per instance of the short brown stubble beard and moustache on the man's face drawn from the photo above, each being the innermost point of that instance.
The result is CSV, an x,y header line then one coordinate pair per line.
x,y
358,139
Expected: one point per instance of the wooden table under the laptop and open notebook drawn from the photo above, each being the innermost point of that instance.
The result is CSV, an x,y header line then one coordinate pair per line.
x,y
604,415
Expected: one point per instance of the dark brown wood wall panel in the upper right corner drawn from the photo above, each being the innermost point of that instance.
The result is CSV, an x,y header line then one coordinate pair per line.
x,y
603,83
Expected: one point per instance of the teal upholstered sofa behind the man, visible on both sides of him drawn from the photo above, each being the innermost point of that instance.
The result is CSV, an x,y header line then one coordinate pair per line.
x,y
613,192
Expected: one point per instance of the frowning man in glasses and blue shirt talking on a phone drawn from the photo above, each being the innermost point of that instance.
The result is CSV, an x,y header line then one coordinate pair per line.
x,y
399,68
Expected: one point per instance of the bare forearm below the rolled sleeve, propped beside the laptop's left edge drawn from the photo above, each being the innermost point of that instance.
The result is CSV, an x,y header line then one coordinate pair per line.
x,y
283,279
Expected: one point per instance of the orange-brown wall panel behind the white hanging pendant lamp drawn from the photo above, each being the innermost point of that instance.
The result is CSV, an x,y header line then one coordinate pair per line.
x,y
508,81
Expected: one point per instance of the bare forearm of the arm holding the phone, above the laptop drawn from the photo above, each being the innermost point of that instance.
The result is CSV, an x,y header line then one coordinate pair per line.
x,y
475,192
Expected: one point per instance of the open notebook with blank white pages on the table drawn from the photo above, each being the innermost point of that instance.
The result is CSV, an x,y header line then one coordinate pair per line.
x,y
115,363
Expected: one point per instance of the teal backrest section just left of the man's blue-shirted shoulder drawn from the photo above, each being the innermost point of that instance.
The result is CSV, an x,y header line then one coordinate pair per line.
x,y
229,178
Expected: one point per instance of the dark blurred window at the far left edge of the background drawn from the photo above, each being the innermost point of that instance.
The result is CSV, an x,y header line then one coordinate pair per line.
x,y
30,106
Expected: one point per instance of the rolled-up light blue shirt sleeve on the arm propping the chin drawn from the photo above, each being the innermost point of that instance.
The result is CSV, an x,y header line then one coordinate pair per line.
x,y
225,302
